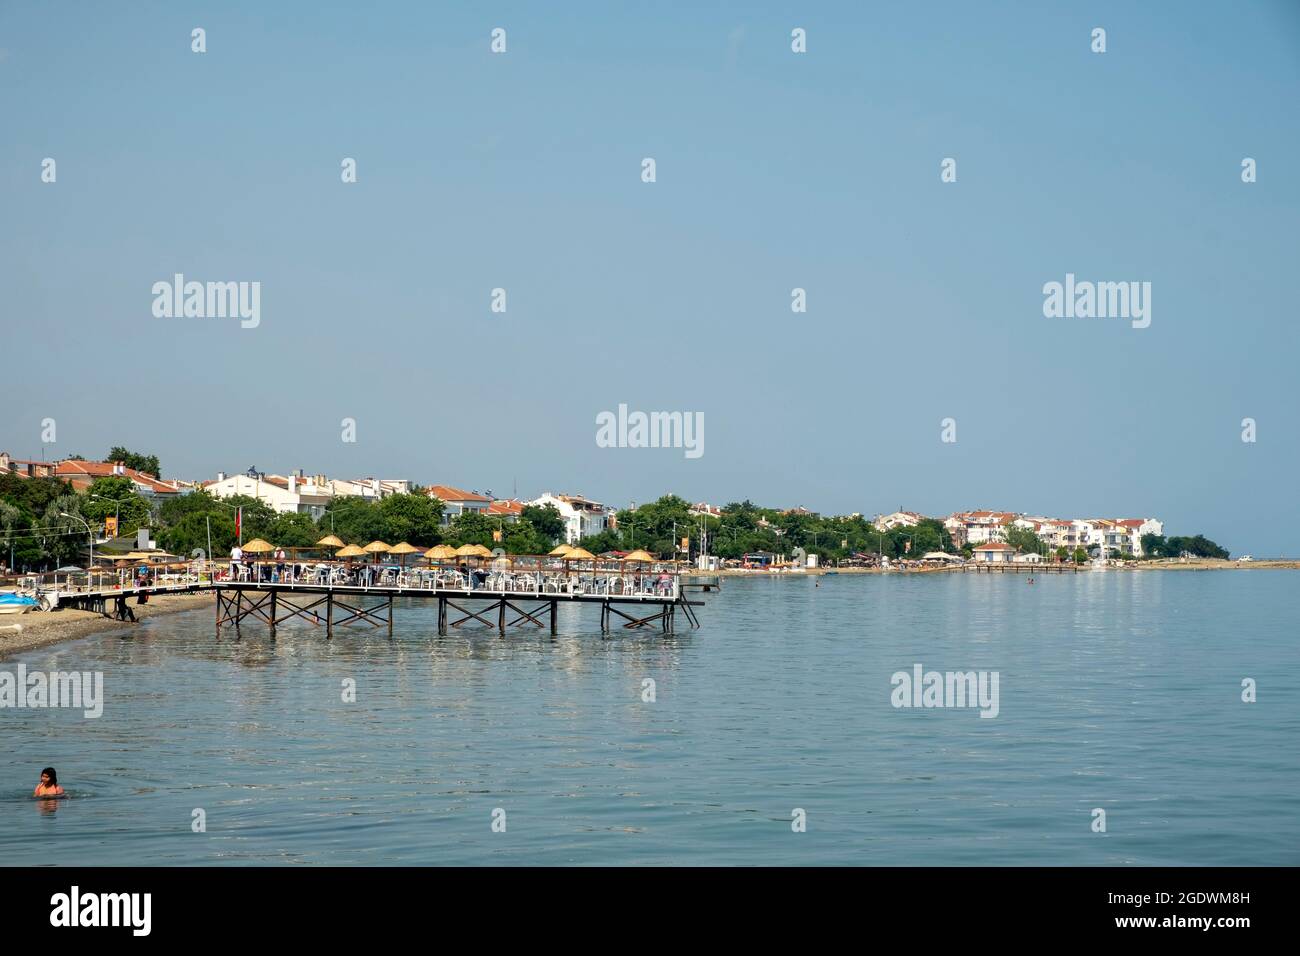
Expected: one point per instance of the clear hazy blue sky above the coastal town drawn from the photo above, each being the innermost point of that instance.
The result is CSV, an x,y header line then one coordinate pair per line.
x,y
774,171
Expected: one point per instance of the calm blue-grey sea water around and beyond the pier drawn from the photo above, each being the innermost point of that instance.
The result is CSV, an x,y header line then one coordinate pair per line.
x,y
1120,691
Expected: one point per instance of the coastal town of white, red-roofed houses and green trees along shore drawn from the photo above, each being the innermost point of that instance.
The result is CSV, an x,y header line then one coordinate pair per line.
x,y
51,512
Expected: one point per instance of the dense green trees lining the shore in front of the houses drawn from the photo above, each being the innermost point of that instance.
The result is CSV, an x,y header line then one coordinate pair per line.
x,y
41,525
